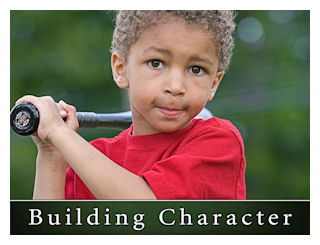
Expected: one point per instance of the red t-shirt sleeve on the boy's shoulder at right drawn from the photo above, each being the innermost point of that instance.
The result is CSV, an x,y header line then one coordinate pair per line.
x,y
210,166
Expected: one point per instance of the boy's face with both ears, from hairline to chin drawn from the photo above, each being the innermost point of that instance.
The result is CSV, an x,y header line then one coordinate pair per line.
x,y
171,73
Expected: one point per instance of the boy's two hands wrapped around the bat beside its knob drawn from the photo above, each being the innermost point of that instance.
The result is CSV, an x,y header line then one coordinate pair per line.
x,y
51,117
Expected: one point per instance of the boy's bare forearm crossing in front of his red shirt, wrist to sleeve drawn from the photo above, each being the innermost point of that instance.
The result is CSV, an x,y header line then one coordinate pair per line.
x,y
104,178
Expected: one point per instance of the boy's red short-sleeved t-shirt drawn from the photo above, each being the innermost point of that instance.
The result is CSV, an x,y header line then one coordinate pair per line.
x,y
202,161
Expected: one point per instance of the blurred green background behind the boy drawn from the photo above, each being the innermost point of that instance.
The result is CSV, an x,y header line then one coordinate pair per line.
x,y
265,92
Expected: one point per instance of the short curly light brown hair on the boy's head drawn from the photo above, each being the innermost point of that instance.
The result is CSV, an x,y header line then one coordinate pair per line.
x,y
130,23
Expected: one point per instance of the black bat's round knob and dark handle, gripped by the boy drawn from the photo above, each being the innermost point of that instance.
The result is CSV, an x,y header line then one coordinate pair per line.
x,y
24,119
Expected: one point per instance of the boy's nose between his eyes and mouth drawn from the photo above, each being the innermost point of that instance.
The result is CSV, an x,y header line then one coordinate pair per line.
x,y
175,84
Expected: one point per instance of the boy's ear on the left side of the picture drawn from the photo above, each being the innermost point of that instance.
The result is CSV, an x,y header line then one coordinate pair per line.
x,y
118,66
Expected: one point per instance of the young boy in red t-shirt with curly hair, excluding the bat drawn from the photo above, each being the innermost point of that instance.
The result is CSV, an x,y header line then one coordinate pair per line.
x,y
171,62
